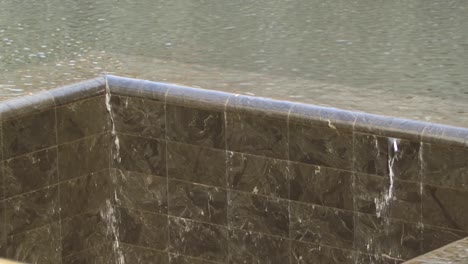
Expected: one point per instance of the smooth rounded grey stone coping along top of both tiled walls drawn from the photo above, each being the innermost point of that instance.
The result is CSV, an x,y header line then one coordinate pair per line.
x,y
343,120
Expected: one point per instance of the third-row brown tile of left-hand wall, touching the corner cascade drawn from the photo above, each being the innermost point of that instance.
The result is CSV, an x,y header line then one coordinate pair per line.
x,y
84,194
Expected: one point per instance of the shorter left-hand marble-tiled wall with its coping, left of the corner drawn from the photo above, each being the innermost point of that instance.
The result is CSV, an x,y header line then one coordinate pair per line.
x,y
55,174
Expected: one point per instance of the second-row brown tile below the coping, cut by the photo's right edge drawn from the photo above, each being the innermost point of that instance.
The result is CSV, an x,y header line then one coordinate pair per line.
x,y
442,207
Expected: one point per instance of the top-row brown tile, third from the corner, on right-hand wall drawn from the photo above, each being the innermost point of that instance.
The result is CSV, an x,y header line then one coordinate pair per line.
x,y
257,134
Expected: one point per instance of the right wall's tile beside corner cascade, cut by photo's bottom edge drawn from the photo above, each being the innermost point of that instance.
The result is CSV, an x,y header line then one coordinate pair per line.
x,y
139,255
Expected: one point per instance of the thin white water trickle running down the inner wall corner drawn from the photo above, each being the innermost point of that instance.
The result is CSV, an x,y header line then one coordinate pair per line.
x,y
109,214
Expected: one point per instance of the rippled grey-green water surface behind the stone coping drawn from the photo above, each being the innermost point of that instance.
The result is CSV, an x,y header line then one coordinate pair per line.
x,y
404,52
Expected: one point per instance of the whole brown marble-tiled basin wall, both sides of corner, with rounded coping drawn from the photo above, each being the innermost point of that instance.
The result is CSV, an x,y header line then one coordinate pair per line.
x,y
181,175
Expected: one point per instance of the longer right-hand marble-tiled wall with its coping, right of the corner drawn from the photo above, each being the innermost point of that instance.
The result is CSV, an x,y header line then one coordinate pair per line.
x,y
238,179
